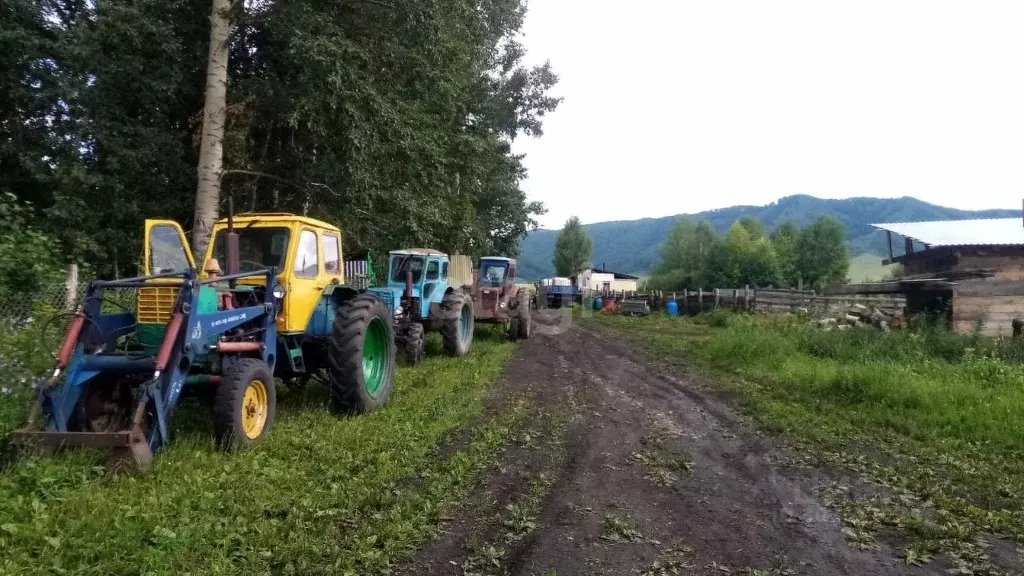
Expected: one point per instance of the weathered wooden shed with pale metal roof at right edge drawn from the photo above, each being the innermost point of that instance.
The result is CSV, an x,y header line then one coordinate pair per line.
x,y
970,271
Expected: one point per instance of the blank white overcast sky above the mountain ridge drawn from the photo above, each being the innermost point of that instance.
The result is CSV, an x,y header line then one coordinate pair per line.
x,y
681,106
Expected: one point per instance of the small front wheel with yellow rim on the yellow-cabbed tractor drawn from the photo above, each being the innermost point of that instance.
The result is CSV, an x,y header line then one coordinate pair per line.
x,y
231,404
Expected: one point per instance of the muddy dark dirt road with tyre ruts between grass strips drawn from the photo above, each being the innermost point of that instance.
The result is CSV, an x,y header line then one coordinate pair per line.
x,y
626,468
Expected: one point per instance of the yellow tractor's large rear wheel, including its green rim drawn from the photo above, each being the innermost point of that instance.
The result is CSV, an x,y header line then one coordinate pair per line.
x,y
361,356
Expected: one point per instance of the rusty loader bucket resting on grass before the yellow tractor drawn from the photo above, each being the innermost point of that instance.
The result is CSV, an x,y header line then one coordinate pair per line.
x,y
127,450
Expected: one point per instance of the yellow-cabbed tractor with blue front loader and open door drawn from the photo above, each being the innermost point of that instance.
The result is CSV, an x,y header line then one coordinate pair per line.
x,y
281,309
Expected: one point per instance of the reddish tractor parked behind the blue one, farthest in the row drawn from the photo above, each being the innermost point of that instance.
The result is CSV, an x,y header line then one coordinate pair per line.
x,y
497,300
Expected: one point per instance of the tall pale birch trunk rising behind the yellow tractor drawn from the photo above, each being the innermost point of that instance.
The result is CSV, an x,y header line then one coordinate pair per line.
x,y
211,152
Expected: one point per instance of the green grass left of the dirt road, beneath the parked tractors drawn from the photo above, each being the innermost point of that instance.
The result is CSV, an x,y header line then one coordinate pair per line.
x,y
321,496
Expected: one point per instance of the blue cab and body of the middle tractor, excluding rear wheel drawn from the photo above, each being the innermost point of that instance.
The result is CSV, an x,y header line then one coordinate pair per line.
x,y
417,278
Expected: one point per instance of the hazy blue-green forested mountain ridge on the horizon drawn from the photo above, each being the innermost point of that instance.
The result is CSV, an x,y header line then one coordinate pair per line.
x,y
631,246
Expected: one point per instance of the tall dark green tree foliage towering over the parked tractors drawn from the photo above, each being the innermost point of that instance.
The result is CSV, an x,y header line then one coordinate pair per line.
x,y
392,120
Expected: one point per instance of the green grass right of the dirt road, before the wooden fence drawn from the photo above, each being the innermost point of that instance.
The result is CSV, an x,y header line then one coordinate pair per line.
x,y
934,417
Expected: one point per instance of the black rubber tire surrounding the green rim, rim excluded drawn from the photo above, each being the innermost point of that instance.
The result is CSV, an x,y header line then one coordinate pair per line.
x,y
349,384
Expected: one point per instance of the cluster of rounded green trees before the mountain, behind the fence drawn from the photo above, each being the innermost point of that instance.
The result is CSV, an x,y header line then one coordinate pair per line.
x,y
694,258
